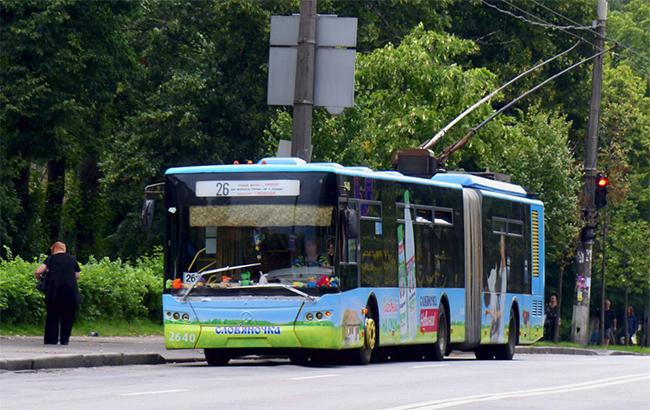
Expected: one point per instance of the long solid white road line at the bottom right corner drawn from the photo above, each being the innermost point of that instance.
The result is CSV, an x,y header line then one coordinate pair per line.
x,y
451,402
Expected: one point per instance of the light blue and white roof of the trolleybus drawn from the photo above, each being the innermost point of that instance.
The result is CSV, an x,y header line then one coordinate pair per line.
x,y
452,180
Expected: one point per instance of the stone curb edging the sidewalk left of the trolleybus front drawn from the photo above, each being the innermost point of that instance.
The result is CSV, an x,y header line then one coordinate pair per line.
x,y
88,360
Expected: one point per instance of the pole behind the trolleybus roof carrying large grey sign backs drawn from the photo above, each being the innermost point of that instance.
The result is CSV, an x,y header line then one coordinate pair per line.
x,y
304,90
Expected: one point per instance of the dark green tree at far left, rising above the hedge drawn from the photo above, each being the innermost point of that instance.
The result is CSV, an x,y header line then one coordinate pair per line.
x,y
63,61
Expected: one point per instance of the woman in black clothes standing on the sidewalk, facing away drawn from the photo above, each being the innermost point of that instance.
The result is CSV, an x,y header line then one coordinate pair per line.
x,y
61,294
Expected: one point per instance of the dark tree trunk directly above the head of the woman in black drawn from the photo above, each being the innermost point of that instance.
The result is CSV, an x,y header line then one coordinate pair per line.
x,y
54,197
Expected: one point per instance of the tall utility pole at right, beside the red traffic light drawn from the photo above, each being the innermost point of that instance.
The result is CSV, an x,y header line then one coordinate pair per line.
x,y
584,251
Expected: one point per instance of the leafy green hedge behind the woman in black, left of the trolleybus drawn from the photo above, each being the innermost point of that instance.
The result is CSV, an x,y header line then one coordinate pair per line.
x,y
109,290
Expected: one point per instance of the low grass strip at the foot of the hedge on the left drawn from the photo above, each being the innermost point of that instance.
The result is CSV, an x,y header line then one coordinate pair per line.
x,y
137,327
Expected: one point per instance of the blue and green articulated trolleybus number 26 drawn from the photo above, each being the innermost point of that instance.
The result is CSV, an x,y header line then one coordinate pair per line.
x,y
284,257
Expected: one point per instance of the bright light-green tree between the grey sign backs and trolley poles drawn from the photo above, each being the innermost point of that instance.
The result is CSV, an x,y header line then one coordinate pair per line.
x,y
402,95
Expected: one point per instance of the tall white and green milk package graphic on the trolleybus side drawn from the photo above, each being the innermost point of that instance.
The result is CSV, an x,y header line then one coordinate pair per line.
x,y
406,275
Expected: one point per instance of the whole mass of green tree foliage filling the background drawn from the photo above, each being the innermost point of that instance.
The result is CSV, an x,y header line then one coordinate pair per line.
x,y
97,99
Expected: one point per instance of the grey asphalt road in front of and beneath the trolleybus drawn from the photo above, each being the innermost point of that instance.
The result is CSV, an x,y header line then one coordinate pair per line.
x,y
529,381
